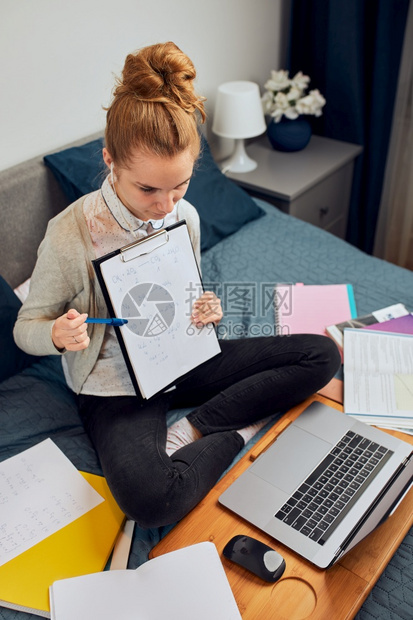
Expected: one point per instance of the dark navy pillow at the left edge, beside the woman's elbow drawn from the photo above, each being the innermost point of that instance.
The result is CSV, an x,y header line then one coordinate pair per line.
x,y
12,359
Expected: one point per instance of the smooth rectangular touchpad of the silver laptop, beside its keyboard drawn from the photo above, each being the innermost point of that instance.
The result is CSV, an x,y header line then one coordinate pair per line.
x,y
290,459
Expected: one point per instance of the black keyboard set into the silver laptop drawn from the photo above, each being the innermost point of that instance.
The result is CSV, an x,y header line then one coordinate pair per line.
x,y
326,496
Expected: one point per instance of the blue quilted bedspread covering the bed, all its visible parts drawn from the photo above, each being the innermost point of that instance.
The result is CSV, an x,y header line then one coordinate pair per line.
x,y
243,269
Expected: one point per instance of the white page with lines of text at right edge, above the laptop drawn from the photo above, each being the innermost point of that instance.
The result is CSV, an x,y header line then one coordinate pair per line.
x,y
378,377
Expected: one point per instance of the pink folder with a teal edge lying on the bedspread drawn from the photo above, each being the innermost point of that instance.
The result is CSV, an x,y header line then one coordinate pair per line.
x,y
310,308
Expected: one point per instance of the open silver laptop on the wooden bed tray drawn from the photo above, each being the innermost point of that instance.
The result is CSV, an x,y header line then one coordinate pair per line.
x,y
324,484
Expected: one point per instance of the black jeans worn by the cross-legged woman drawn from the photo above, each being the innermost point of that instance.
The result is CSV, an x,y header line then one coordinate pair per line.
x,y
250,380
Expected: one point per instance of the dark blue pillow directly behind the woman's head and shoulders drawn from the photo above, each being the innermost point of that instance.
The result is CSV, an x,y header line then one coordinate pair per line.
x,y
223,207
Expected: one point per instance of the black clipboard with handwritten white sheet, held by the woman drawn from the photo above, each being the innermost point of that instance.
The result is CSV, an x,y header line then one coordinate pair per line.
x,y
153,283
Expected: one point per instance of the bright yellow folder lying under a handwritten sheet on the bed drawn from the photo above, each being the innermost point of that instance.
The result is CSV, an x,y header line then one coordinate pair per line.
x,y
82,547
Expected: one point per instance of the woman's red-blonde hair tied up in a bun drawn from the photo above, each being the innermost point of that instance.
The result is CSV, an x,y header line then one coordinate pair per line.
x,y
154,107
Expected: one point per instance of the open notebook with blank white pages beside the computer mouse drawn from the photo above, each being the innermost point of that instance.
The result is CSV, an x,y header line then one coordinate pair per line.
x,y
187,583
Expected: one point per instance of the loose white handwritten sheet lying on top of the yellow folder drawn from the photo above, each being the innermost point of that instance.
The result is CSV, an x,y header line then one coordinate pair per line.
x,y
40,492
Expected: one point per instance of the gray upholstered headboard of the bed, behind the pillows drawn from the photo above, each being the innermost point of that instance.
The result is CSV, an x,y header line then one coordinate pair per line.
x,y
29,197
